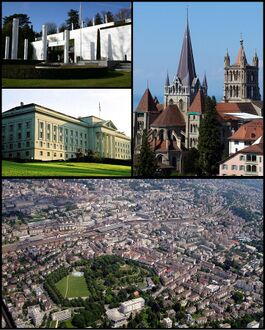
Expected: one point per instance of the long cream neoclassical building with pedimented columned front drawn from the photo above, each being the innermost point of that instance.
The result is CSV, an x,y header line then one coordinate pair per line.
x,y
35,132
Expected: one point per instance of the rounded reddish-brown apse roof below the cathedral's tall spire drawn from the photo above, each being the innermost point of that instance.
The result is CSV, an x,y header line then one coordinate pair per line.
x,y
170,117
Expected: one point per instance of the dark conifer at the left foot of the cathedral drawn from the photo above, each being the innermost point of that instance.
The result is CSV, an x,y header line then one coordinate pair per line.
x,y
147,164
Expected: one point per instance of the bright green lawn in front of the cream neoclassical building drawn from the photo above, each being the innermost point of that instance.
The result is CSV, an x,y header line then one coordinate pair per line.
x,y
63,169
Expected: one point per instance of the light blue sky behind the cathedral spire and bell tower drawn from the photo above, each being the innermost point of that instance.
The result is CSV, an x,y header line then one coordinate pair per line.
x,y
215,26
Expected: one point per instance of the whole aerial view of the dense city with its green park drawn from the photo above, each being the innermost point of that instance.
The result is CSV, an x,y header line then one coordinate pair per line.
x,y
184,253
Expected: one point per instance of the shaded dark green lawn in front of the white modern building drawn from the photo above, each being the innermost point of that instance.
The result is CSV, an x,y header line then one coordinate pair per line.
x,y
113,79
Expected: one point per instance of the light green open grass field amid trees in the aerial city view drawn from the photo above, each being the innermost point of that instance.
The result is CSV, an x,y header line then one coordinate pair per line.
x,y
73,286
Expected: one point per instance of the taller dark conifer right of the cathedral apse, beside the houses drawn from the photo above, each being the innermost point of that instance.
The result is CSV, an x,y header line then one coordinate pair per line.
x,y
209,146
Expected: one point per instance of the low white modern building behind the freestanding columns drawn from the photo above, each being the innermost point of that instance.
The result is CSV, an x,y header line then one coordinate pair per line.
x,y
115,43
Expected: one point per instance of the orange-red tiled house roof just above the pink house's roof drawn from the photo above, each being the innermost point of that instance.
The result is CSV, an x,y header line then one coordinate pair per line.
x,y
250,131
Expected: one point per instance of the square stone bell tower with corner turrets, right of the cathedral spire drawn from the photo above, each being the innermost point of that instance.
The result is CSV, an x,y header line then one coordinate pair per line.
x,y
241,80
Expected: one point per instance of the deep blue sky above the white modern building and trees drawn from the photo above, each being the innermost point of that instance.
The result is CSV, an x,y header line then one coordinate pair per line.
x,y
56,12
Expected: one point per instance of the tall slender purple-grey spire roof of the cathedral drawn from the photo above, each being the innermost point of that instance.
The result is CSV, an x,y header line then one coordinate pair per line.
x,y
186,69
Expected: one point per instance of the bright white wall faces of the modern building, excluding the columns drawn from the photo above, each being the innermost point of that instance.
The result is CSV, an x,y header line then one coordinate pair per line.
x,y
115,42
